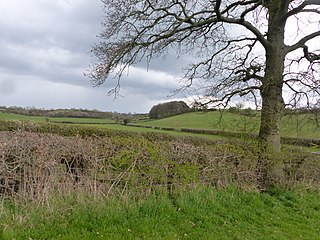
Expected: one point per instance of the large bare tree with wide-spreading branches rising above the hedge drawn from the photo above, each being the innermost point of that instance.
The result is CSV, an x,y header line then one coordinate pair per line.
x,y
240,47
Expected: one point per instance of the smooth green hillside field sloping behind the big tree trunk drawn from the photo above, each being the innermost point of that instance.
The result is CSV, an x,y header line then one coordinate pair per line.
x,y
300,126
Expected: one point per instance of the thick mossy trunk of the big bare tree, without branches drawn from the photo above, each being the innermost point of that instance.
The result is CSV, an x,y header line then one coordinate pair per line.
x,y
271,93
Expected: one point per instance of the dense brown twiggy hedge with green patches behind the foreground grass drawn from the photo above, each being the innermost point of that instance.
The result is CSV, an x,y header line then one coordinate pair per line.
x,y
77,160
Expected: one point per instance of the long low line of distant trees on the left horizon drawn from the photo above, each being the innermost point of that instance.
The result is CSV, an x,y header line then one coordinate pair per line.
x,y
75,113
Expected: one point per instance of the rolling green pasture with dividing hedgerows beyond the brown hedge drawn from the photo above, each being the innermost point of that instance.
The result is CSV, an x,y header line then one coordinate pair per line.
x,y
301,130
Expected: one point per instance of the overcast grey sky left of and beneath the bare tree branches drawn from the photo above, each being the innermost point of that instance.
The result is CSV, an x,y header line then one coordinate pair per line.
x,y
45,49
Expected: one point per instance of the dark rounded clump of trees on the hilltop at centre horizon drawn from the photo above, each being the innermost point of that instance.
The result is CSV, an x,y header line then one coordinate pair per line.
x,y
168,109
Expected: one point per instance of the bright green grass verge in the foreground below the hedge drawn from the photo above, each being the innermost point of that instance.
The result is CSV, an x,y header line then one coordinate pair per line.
x,y
200,214
